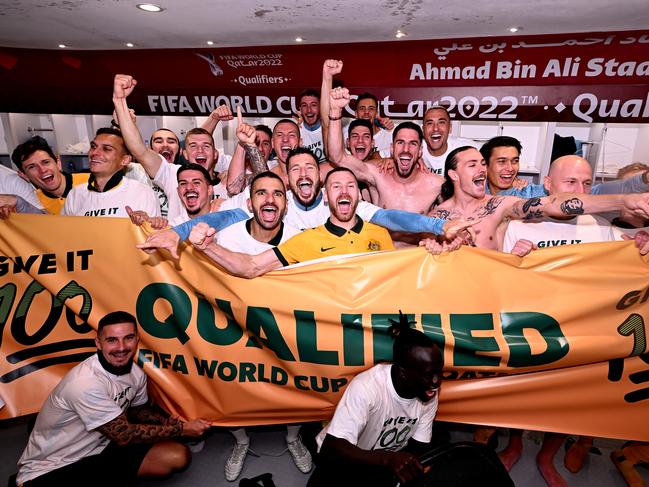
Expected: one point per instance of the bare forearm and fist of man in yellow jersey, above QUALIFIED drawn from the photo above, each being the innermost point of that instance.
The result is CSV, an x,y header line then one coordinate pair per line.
x,y
238,264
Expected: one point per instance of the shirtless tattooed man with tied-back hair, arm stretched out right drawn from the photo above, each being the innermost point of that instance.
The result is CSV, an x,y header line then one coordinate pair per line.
x,y
464,197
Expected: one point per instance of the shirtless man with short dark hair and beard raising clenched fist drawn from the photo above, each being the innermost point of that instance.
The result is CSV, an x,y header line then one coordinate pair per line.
x,y
406,188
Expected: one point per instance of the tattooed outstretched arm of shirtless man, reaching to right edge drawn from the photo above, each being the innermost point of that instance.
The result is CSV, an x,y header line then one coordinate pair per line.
x,y
564,205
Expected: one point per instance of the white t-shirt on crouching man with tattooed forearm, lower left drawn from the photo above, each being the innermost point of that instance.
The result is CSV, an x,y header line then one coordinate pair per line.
x,y
66,427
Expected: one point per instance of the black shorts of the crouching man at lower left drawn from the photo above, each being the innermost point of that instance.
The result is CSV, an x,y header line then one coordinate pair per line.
x,y
115,466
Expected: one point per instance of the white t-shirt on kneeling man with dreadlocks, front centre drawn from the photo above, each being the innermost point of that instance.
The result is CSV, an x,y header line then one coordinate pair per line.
x,y
372,416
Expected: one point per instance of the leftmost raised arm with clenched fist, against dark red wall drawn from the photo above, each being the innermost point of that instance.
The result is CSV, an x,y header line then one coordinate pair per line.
x,y
123,86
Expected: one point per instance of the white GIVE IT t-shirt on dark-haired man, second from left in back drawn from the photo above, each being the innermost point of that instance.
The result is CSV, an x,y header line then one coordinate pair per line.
x,y
83,202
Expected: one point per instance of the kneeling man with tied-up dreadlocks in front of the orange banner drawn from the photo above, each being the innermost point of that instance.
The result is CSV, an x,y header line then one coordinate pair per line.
x,y
384,410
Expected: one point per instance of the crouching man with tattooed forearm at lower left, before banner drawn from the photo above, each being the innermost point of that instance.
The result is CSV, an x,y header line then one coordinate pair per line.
x,y
97,427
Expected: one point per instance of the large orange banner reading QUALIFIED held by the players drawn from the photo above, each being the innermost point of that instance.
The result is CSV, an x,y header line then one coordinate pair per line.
x,y
555,341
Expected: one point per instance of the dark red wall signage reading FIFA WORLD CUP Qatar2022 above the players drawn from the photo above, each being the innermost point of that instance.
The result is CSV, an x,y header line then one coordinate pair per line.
x,y
585,77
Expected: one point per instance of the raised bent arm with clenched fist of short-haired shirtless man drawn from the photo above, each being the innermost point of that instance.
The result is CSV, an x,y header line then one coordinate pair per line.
x,y
338,99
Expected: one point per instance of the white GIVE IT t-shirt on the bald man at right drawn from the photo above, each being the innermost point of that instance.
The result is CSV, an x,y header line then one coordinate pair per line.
x,y
551,232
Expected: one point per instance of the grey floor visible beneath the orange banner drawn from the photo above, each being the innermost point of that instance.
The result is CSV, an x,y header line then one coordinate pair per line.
x,y
268,443
